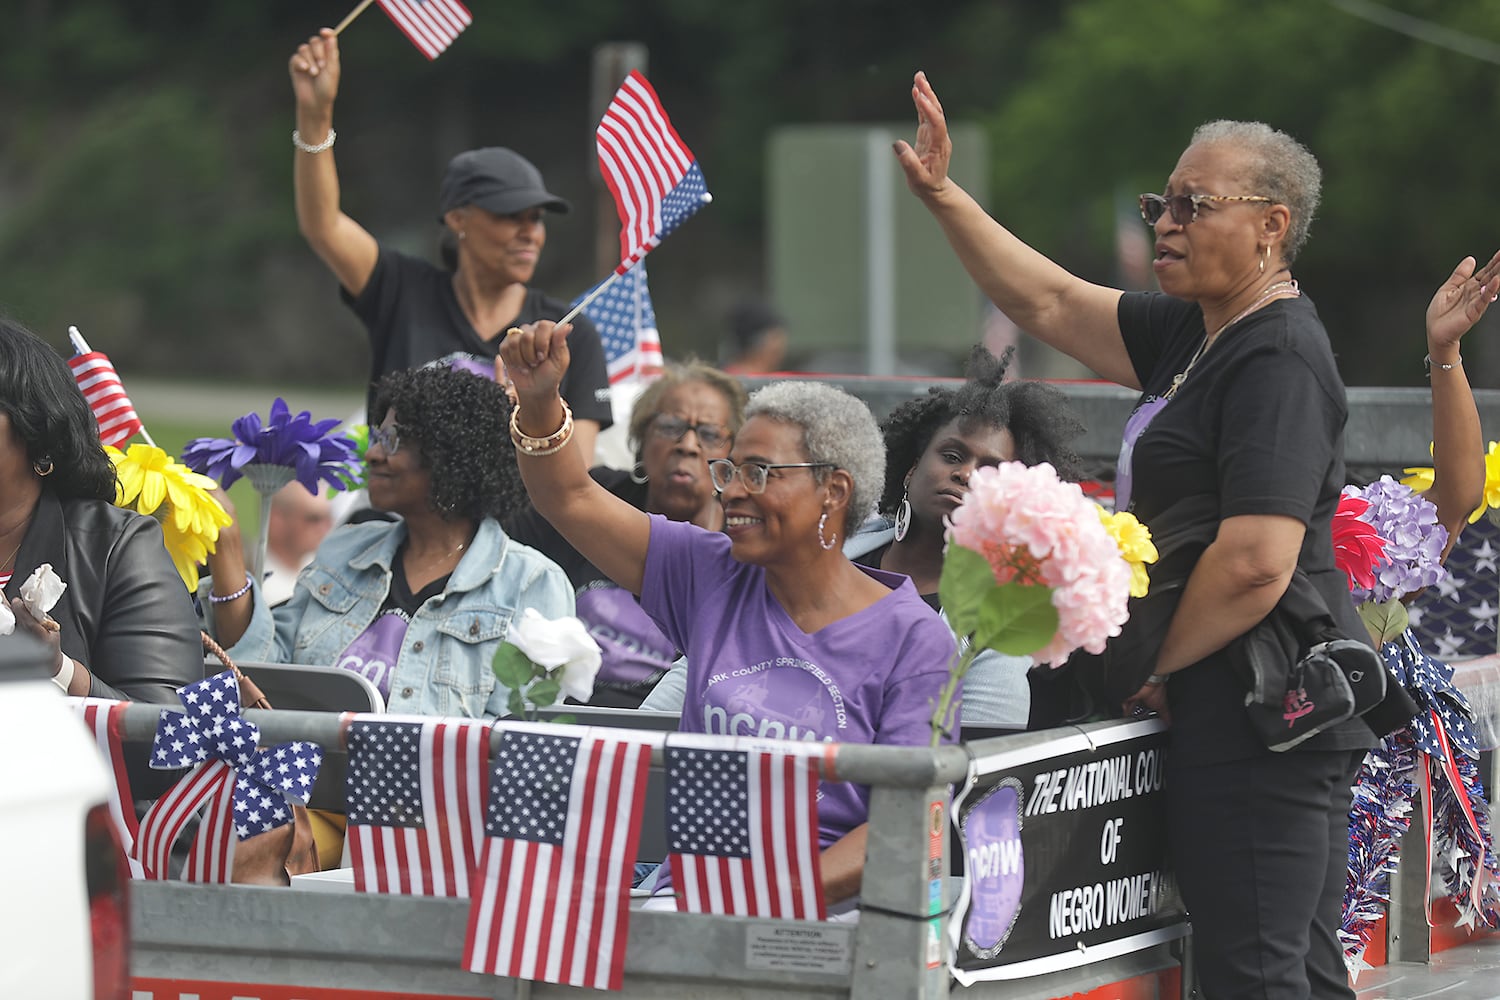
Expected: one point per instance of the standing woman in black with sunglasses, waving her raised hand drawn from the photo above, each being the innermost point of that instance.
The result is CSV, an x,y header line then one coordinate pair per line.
x,y
1241,403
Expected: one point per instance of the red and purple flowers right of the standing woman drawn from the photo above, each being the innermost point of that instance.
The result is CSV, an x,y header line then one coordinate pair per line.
x,y
1388,542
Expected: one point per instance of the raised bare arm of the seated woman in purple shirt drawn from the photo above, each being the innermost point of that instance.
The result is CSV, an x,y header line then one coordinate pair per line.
x,y
608,531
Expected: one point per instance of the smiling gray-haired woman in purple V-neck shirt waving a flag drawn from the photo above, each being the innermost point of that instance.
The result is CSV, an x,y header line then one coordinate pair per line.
x,y
785,636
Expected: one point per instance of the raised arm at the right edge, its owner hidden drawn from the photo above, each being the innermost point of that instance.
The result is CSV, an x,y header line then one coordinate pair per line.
x,y
1459,448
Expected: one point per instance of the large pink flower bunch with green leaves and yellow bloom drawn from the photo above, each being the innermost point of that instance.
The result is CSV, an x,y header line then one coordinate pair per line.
x,y
1034,567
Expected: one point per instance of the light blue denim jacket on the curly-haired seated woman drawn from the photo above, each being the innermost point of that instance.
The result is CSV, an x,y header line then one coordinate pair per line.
x,y
445,663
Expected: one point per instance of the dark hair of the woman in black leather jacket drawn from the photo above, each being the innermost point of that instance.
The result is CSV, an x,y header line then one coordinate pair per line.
x,y
52,418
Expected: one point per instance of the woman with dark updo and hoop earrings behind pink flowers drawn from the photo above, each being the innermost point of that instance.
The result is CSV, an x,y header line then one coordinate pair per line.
x,y
932,446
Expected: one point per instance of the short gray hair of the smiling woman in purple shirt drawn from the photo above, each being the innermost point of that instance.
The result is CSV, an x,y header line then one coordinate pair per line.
x,y
839,430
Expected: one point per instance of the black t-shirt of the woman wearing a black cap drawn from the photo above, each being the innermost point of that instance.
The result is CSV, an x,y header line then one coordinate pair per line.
x,y
413,317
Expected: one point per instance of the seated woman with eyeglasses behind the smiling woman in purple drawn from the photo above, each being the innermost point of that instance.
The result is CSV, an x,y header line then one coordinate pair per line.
x,y
680,424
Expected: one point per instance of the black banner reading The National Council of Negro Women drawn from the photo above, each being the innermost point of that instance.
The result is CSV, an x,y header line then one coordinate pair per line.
x,y
1064,845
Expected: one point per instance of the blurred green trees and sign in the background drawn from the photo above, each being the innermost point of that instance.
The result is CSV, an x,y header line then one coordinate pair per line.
x,y
146,166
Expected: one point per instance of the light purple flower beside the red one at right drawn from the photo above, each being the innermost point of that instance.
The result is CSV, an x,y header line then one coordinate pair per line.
x,y
1415,542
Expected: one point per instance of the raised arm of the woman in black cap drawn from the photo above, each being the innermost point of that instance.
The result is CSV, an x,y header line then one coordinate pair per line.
x,y
343,244
